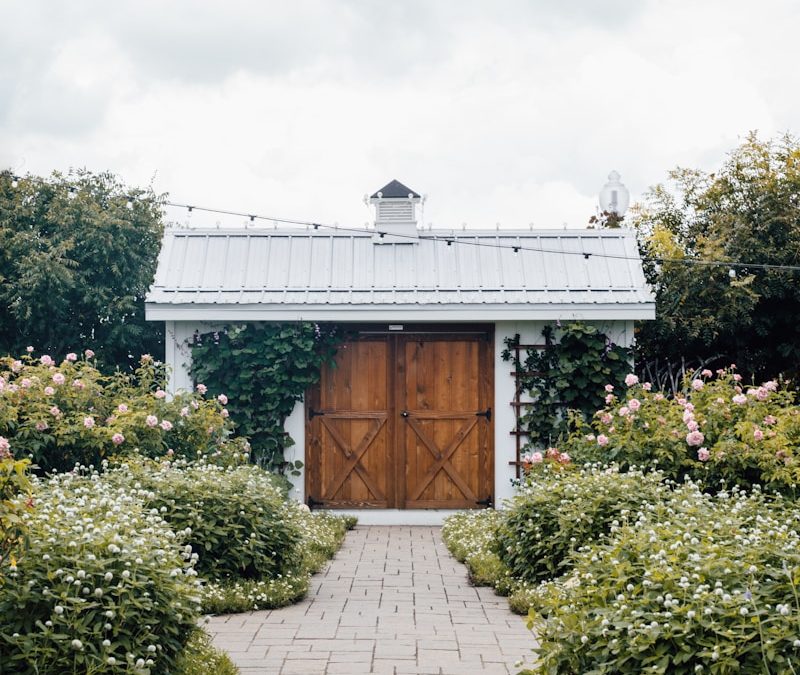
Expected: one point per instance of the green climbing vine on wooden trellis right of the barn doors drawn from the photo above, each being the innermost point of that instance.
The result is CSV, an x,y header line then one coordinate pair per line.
x,y
567,375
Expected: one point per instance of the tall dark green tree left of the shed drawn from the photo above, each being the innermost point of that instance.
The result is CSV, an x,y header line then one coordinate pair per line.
x,y
77,255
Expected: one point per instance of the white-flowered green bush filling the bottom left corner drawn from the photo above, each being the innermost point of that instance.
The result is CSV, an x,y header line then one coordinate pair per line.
x,y
104,586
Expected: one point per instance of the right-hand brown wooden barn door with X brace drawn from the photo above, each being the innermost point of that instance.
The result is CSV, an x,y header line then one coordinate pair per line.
x,y
444,404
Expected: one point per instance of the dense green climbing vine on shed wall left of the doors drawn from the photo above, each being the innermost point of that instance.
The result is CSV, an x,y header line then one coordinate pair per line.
x,y
263,369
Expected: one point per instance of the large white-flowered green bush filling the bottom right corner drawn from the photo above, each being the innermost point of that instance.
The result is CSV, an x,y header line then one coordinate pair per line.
x,y
696,584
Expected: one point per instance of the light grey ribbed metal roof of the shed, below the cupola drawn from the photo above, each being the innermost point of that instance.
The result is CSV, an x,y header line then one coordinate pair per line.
x,y
291,274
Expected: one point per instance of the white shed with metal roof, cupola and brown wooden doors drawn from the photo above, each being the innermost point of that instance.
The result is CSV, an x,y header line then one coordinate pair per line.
x,y
415,421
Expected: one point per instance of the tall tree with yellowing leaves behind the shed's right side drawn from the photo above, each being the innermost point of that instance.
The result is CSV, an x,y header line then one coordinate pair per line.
x,y
748,211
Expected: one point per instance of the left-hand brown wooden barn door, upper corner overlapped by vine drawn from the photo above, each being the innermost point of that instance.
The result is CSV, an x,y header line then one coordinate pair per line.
x,y
349,432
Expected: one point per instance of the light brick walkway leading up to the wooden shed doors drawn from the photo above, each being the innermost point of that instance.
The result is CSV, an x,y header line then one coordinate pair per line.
x,y
391,602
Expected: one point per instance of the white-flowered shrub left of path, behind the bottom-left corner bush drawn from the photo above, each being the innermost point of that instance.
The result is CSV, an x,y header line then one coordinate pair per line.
x,y
235,518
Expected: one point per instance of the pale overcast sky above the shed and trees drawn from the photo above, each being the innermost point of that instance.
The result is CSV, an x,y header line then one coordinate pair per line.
x,y
504,111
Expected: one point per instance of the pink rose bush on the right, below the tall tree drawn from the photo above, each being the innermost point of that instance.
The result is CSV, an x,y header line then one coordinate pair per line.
x,y
719,431
